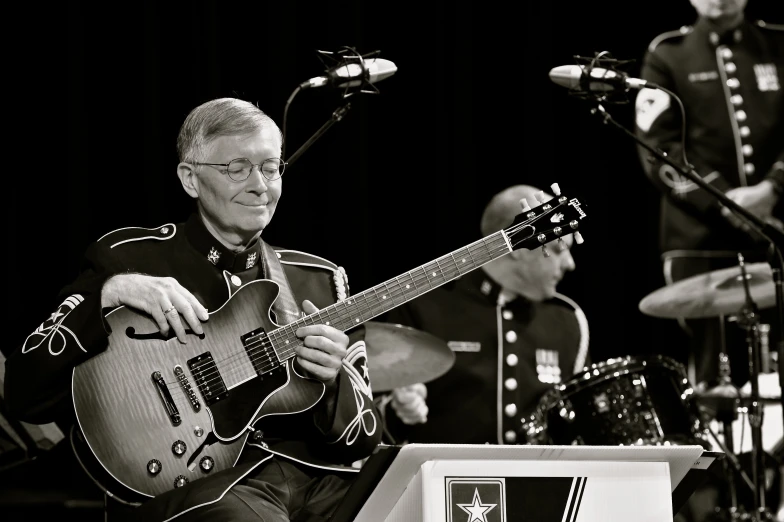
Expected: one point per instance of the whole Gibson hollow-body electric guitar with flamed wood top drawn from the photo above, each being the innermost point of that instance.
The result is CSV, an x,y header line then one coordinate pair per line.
x,y
157,414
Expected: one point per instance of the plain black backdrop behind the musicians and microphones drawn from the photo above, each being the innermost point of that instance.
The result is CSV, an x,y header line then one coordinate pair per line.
x,y
400,181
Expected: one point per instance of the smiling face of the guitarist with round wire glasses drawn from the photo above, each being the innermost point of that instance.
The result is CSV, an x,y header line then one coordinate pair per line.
x,y
235,211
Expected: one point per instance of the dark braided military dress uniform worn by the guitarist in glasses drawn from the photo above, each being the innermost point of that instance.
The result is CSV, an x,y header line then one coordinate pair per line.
x,y
38,373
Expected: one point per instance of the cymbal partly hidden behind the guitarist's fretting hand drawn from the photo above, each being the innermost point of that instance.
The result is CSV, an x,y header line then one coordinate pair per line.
x,y
399,355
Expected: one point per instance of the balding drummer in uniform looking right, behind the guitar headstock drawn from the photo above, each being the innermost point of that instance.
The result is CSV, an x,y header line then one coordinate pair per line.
x,y
513,335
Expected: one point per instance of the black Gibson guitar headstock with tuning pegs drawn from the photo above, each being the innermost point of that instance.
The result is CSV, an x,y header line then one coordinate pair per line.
x,y
549,221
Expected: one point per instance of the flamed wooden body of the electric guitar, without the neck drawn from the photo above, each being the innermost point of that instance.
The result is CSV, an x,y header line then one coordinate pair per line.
x,y
130,421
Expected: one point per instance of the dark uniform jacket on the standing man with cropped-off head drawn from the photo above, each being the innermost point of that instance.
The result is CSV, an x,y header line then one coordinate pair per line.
x,y
731,86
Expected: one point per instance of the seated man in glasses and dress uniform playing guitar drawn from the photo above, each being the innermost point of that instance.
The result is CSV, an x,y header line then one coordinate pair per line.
x,y
179,276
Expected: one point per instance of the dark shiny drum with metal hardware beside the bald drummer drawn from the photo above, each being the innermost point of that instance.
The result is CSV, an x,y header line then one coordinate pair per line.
x,y
626,401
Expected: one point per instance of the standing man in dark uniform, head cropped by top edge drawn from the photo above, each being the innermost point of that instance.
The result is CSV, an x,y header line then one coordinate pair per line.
x,y
729,74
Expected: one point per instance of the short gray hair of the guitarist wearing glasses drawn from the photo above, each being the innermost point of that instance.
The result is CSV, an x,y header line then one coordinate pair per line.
x,y
216,118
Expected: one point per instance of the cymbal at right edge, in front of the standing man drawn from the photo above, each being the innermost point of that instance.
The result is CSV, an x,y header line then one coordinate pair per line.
x,y
720,292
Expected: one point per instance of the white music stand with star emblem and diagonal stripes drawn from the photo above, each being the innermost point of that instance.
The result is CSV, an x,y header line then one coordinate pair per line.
x,y
483,483
